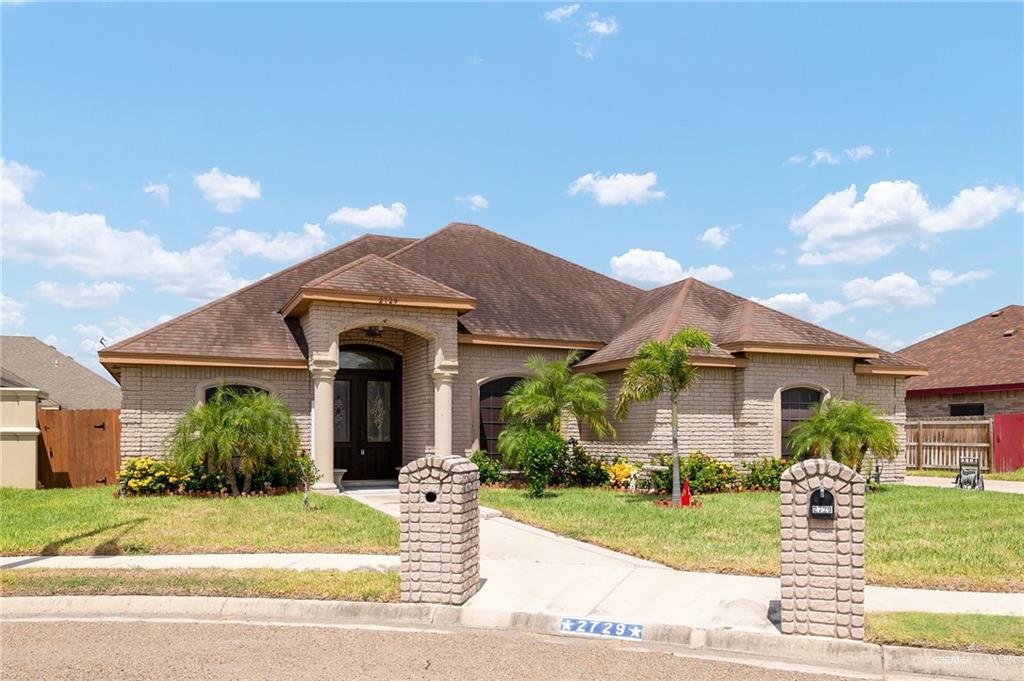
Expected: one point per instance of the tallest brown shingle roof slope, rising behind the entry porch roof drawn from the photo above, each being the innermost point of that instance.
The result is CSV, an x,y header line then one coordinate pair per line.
x,y
521,292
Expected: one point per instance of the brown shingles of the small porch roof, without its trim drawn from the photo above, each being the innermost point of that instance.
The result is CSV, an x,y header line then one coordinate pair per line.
x,y
374,275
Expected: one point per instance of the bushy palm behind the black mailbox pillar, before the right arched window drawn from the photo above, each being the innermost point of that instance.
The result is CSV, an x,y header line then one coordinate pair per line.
x,y
844,431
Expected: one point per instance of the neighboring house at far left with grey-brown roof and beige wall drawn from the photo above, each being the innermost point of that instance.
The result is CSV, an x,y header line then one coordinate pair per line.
x,y
34,375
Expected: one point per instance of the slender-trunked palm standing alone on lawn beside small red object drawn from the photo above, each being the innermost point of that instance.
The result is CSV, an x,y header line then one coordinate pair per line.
x,y
663,368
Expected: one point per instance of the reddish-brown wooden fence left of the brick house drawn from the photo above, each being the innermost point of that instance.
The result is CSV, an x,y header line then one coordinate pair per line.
x,y
79,448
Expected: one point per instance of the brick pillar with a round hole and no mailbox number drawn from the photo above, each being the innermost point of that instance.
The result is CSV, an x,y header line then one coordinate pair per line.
x,y
441,530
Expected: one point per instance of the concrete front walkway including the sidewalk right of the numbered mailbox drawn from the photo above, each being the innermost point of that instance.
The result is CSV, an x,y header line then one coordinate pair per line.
x,y
530,570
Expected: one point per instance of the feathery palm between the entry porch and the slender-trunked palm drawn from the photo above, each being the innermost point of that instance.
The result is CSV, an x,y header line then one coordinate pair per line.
x,y
553,390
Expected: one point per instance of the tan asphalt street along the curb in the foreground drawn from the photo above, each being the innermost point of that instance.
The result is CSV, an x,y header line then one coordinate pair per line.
x,y
217,651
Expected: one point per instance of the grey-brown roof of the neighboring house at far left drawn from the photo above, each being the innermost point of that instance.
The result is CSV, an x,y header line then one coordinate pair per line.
x,y
31,362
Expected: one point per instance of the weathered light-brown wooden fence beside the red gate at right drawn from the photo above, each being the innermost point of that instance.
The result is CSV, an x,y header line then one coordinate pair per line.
x,y
944,444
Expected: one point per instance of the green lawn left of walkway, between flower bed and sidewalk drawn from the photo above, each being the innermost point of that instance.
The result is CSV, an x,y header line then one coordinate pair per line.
x,y
94,521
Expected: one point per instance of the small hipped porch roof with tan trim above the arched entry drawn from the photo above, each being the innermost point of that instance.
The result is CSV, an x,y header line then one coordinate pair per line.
x,y
370,278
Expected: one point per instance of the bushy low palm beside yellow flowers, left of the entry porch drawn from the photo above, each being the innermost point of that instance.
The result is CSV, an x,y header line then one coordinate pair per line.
x,y
234,431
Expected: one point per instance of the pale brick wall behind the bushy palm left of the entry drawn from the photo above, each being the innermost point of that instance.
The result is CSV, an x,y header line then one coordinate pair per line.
x,y
153,400
